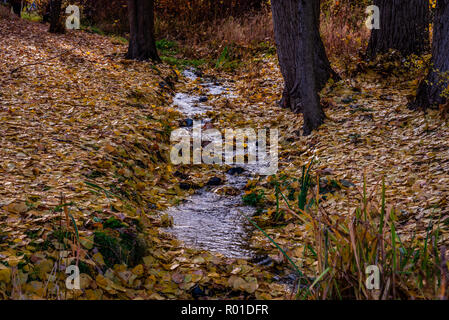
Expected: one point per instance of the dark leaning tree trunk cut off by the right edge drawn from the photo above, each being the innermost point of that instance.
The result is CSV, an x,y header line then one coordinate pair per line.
x,y
430,91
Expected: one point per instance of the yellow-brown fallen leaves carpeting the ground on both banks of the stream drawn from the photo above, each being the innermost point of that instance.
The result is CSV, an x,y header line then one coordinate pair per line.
x,y
85,172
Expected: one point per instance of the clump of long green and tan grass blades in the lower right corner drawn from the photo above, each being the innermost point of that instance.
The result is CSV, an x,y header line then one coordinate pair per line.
x,y
346,246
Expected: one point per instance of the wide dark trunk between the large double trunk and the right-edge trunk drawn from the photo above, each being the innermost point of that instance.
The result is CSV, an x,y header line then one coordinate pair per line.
x,y
404,26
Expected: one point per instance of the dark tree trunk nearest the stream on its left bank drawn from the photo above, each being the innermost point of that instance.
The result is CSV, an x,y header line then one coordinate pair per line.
x,y
142,45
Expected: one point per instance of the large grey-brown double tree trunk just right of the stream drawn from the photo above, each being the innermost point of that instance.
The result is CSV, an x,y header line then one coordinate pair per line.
x,y
302,58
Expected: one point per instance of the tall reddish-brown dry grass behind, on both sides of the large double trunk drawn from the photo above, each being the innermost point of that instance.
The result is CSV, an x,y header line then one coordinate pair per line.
x,y
342,28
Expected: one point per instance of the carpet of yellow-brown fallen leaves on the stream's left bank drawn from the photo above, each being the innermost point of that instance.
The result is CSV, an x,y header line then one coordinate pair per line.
x,y
85,142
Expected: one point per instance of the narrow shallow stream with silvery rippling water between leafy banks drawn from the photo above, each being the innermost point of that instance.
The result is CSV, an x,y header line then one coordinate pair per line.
x,y
208,220
